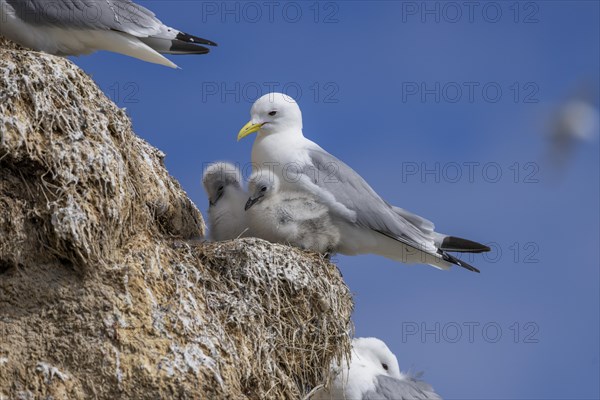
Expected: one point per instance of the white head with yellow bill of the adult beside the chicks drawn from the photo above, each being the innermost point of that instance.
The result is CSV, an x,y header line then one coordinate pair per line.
x,y
273,113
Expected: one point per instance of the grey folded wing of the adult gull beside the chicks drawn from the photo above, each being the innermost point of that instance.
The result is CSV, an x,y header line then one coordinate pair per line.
x,y
351,190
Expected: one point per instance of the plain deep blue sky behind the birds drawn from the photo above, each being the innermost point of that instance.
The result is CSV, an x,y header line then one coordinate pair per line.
x,y
397,89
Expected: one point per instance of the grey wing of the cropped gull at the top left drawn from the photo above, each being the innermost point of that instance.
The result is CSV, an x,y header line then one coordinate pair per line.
x,y
120,15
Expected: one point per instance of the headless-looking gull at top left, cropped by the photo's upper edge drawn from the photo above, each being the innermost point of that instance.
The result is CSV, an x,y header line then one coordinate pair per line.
x,y
74,27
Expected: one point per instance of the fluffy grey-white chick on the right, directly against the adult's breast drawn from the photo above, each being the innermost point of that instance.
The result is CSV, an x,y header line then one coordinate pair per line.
x,y
294,218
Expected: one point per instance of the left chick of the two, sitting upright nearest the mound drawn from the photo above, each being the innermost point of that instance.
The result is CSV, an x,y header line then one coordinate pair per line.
x,y
226,197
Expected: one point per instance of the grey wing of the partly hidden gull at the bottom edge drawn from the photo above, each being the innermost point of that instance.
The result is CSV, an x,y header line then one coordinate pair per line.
x,y
388,388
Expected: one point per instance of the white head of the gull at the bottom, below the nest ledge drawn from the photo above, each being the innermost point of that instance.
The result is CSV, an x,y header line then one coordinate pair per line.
x,y
373,354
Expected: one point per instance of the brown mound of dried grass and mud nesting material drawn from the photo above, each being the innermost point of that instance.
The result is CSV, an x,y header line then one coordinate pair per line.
x,y
106,290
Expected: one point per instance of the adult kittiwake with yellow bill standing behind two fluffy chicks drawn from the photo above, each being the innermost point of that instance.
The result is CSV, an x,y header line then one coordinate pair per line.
x,y
367,223
